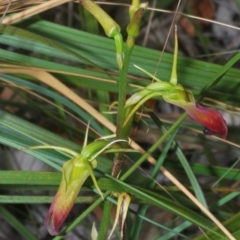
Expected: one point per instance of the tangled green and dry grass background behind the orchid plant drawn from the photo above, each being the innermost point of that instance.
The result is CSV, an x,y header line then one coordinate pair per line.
x,y
54,43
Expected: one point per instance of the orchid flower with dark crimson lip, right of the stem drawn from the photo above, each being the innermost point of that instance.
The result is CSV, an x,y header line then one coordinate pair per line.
x,y
176,94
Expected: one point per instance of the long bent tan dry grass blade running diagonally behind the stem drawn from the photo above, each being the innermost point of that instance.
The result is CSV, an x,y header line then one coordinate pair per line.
x,y
53,82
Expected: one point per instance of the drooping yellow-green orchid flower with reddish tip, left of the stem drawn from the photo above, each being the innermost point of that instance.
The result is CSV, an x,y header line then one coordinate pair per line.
x,y
74,174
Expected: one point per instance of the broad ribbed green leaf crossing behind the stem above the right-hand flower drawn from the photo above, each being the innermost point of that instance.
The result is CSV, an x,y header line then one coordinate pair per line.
x,y
101,51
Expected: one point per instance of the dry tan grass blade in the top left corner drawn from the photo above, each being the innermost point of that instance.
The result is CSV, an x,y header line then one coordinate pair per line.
x,y
33,10
